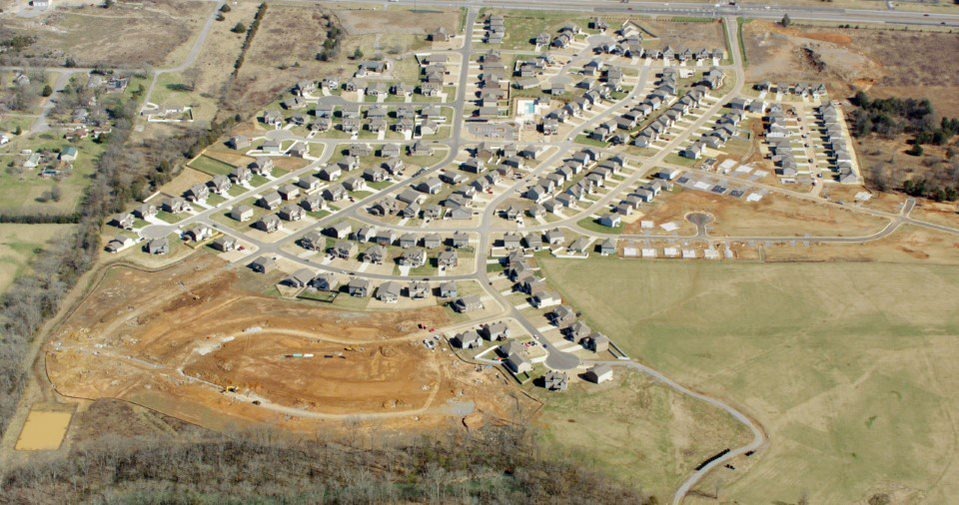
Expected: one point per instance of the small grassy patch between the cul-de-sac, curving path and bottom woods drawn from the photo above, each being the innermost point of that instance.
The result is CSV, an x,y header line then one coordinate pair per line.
x,y
638,431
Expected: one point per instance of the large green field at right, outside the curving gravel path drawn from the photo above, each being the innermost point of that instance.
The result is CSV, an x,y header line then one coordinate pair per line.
x,y
850,367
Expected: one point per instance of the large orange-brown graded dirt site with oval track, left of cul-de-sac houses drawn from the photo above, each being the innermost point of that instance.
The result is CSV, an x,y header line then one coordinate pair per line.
x,y
198,342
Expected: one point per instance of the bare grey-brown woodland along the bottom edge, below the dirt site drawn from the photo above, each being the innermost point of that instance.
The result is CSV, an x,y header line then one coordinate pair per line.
x,y
497,466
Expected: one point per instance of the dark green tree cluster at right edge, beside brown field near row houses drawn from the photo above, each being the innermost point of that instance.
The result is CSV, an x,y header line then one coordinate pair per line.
x,y
894,116
